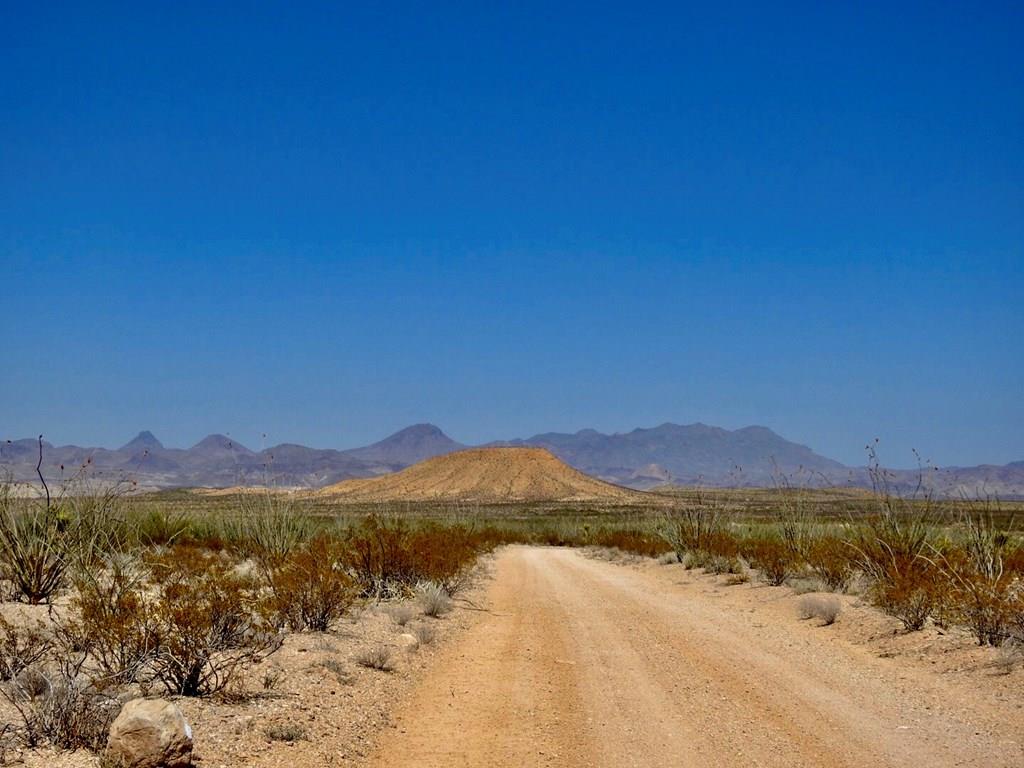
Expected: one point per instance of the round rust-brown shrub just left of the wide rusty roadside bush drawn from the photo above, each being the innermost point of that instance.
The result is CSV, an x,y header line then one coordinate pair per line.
x,y
311,589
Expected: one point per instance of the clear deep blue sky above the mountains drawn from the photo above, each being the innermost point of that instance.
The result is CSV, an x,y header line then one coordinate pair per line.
x,y
325,224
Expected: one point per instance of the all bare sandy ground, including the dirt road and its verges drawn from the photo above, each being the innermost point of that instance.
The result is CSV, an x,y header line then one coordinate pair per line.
x,y
580,662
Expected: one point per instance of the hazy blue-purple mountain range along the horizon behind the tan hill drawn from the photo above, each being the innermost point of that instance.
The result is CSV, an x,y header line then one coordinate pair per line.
x,y
670,454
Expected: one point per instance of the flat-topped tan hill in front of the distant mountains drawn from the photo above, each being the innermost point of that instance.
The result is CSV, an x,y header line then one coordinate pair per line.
x,y
492,476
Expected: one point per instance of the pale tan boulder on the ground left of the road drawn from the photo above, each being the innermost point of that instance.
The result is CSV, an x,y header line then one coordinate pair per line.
x,y
150,734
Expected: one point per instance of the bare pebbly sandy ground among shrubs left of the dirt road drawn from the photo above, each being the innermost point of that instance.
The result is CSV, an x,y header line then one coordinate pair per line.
x,y
314,681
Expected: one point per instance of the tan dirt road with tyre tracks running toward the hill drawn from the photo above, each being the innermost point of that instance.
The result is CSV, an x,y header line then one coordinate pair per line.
x,y
583,663
